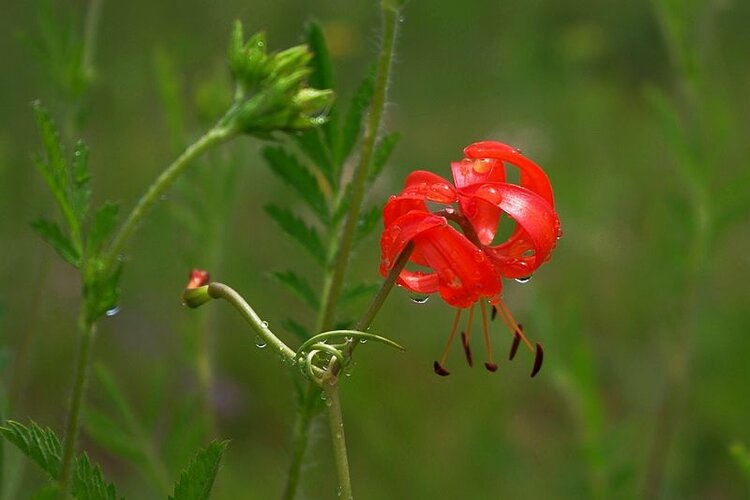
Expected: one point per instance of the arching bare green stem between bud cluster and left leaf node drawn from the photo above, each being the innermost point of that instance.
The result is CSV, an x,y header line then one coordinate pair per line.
x,y
213,137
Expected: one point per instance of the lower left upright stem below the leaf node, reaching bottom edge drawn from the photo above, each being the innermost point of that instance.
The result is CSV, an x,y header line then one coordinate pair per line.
x,y
88,332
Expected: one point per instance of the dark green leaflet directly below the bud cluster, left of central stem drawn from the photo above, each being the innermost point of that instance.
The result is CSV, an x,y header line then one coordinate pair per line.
x,y
292,172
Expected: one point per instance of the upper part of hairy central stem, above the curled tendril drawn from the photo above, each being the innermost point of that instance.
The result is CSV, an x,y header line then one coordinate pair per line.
x,y
334,280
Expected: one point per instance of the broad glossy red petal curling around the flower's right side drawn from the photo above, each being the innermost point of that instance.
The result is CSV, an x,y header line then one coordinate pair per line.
x,y
537,231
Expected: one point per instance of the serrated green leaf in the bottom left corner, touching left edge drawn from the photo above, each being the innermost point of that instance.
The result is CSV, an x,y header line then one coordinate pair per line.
x,y
40,445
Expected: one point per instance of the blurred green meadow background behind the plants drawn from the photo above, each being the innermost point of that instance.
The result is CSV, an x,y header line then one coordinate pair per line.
x,y
636,330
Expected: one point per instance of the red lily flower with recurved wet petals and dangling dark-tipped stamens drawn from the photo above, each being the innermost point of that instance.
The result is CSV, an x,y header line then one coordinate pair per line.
x,y
464,267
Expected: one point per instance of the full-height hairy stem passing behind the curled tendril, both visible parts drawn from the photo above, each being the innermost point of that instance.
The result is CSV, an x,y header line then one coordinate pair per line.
x,y
334,277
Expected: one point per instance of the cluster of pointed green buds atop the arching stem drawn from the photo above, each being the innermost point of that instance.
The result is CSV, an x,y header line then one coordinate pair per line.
x,y
271,89
